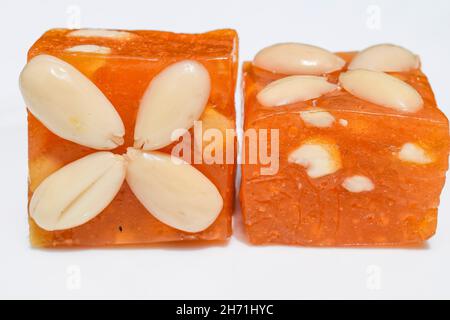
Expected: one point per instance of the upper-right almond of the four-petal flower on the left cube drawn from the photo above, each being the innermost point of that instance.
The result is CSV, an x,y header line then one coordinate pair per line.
x,y
174,99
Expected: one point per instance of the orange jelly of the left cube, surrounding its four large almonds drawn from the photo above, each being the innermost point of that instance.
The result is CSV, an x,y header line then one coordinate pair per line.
x,y
123,76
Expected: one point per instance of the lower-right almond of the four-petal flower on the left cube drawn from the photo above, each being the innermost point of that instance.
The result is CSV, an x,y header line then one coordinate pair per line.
x,y
173,191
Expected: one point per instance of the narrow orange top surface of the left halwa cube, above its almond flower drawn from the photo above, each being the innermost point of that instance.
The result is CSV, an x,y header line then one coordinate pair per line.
x,y
139,43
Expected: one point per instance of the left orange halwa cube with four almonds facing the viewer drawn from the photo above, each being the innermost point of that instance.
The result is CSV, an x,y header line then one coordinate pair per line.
x,y
90,184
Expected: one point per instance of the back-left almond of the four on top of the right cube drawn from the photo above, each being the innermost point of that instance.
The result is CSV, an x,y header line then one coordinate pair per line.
x,y
297,58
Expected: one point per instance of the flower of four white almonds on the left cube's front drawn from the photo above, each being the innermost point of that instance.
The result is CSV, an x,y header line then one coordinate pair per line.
x,y
73,108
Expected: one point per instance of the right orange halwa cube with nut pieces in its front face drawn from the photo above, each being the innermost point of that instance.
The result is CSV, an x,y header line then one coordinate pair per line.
x,y
363,148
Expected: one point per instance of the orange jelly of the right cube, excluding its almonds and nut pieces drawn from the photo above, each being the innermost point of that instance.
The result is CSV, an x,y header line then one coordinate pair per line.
x,y
292,208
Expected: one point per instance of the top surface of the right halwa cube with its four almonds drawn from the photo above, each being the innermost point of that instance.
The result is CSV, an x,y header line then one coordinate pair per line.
x,y
383,80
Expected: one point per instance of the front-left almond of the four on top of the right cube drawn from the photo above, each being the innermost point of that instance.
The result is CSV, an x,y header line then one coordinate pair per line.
x,y
294,89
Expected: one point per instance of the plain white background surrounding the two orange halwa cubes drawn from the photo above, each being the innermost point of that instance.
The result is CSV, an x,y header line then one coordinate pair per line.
x,y
236,270
